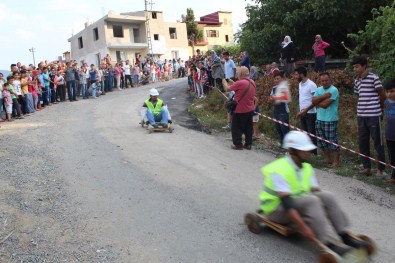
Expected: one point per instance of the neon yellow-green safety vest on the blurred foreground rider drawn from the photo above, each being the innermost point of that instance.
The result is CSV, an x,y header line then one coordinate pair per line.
x,y
299,187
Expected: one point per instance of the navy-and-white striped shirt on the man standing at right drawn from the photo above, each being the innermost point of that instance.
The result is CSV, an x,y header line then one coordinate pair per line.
x,y
369,99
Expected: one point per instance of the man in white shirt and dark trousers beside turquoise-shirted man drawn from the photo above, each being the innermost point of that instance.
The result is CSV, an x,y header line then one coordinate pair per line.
x,y
307,89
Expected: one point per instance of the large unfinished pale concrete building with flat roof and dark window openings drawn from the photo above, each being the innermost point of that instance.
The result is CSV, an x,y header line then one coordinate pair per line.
x,y
124,36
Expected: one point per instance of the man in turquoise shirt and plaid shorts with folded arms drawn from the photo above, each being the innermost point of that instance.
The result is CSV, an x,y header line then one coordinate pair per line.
x,y
326,99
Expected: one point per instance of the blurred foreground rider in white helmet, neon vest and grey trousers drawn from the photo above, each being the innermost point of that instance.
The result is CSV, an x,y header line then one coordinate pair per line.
x,y
291,196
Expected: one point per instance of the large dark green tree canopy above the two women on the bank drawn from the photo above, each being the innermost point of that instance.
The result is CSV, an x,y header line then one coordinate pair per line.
x,y
270,20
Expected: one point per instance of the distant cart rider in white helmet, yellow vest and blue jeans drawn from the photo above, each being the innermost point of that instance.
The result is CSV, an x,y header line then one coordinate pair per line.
x,y
155,111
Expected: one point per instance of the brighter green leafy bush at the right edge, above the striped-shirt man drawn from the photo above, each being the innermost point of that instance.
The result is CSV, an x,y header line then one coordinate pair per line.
x,y
377,41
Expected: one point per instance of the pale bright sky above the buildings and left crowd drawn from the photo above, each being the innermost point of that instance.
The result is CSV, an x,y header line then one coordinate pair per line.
x,y
46,25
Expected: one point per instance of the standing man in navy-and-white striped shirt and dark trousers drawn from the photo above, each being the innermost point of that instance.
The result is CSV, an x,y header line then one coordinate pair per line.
x,y
371,97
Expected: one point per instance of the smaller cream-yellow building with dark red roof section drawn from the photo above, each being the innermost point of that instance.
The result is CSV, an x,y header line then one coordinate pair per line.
x,y
217,30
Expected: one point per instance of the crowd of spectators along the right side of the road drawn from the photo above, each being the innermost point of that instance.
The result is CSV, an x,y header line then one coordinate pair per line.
x,y
318,105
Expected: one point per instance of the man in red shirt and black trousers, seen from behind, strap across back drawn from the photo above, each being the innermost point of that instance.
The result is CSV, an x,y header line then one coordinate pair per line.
x,y
244,90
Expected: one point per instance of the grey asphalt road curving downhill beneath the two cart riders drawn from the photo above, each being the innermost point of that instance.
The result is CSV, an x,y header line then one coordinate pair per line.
x,y
181,197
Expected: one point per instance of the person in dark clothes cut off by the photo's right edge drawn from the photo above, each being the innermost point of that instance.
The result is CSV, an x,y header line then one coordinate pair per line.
x,y
389,108
